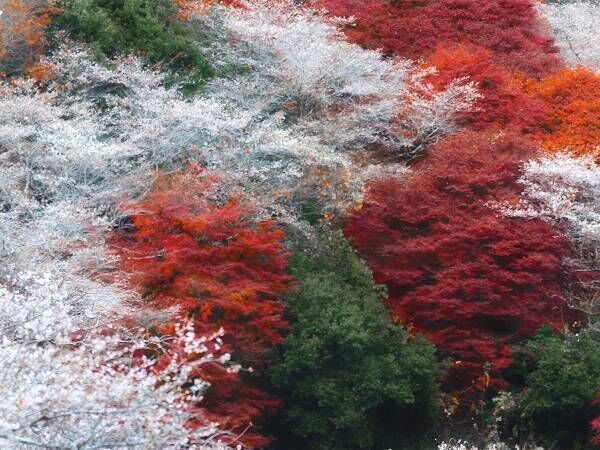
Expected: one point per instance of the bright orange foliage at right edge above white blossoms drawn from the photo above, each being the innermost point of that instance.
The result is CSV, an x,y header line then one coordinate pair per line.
x,y
573,118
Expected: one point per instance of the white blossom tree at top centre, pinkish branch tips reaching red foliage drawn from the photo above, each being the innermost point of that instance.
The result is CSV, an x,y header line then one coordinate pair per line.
x,y
302,68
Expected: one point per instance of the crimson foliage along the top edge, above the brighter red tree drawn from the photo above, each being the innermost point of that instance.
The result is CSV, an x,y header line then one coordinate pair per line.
x,y
508,28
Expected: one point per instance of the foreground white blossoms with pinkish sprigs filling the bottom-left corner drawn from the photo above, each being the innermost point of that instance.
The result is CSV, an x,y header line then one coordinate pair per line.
x,y
96,394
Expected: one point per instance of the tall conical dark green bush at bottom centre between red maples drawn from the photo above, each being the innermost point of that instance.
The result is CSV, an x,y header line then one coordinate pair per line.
x,y
349,378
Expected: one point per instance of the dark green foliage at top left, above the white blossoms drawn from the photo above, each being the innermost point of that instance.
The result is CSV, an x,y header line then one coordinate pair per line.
x,y
148,27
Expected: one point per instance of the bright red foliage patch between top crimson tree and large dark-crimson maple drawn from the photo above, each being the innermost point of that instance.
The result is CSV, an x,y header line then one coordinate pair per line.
x,y
504,104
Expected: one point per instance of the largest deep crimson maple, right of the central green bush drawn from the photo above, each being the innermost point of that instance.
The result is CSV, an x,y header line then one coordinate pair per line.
x,y
473,281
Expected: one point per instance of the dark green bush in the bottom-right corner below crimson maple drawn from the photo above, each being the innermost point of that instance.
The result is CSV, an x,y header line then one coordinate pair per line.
x,y
561,376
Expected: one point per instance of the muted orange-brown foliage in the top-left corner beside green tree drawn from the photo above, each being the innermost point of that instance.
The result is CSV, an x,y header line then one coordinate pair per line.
x,y
22,25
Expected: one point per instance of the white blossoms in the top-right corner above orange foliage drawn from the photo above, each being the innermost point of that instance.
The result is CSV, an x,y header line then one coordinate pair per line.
x,y
576,30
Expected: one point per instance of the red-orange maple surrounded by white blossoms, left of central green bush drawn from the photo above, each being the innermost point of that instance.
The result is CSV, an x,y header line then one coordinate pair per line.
x,y
221,270
